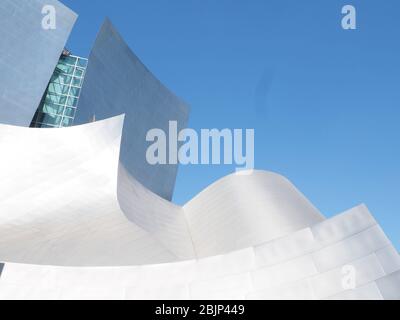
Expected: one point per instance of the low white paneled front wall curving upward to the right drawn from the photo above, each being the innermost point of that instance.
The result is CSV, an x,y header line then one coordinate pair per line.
x,y
307,264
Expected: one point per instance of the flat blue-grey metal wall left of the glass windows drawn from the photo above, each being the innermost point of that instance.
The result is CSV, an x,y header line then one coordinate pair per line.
x,y
28,55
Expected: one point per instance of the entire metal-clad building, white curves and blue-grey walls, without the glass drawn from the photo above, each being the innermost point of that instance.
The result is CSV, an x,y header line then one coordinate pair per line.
x,y
80,221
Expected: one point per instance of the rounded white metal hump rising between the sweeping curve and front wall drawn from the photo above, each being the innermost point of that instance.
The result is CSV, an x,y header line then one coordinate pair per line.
x,y
245,209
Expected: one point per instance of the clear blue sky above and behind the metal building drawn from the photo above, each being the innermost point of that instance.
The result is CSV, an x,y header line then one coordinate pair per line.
x,y
325,102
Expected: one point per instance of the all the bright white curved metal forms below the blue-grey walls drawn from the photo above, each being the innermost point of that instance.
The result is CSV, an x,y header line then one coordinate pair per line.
x,y
75,225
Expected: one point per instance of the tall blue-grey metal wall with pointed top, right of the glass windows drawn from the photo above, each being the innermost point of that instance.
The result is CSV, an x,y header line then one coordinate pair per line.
x,y
116,82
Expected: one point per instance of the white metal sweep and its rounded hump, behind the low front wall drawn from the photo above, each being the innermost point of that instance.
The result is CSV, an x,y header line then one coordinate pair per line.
x,y
72,204
